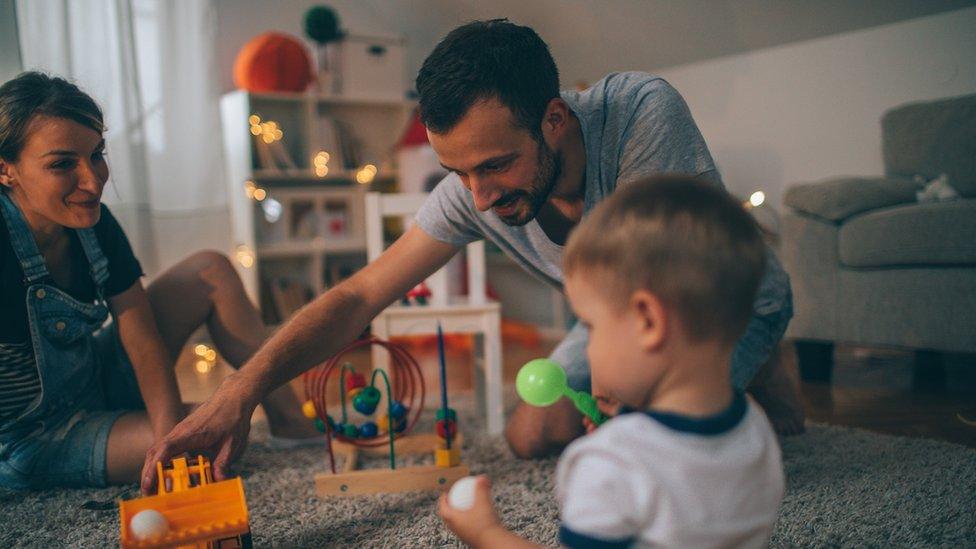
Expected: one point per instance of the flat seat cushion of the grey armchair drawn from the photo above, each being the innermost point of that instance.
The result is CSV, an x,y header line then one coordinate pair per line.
x,y
929,234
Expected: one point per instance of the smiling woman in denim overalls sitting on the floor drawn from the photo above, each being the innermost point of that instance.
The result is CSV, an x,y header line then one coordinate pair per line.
x,y
74,411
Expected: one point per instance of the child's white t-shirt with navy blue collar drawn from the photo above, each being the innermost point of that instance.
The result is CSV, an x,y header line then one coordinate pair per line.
x,y
649,479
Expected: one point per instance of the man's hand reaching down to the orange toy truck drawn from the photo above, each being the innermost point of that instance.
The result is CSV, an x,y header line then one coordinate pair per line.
x,y
217,429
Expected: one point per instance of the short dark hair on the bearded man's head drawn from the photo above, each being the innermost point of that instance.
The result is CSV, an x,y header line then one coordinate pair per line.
x,y
483,60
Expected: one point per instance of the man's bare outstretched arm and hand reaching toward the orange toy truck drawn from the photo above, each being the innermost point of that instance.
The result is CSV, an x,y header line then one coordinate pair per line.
x,y
219,427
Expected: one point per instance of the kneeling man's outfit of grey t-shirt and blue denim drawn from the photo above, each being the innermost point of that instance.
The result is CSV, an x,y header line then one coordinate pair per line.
x,y
634,125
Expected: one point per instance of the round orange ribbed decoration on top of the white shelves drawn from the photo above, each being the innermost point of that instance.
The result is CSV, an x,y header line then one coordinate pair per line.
x,y
273,61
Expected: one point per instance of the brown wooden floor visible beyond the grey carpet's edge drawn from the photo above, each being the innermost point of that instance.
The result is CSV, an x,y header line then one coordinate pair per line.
x,y
871,388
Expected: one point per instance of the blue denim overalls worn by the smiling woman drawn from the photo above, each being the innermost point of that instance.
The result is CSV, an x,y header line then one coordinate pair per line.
x,y
61,438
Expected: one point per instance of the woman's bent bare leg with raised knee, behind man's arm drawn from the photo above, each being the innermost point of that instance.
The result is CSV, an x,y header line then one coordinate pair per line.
x,y
205,289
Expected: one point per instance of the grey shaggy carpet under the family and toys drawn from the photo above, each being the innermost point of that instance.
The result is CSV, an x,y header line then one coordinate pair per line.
x,y
844,487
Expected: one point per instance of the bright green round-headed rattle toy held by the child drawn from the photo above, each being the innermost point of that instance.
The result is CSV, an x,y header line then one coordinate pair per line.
x,y
541,382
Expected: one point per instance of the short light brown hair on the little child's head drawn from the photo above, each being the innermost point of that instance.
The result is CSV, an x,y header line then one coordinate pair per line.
x,y
684,240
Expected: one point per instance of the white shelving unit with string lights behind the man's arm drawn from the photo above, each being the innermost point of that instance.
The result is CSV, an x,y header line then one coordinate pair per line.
x,y
318,234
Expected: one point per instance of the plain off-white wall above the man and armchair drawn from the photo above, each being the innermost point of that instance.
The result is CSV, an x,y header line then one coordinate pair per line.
x,y
773,116
